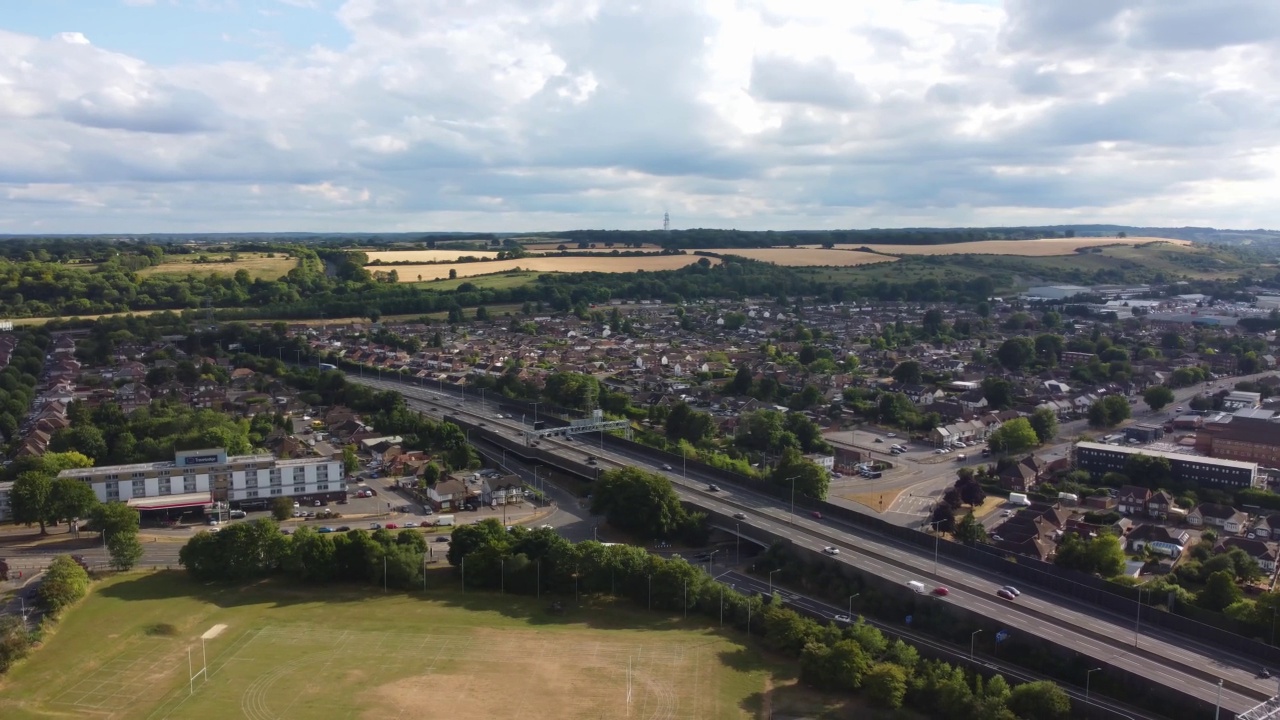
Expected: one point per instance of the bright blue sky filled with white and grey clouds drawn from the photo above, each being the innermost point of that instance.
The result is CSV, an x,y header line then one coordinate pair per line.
x,y
524,116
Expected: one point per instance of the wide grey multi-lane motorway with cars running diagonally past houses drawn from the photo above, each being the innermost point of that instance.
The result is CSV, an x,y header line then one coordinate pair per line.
x,y
1154,654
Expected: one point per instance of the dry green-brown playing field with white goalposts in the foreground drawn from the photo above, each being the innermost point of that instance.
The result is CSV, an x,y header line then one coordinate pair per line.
x,y
356,653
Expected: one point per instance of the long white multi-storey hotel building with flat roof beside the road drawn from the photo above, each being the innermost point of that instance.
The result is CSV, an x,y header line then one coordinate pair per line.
x,y
199,479
